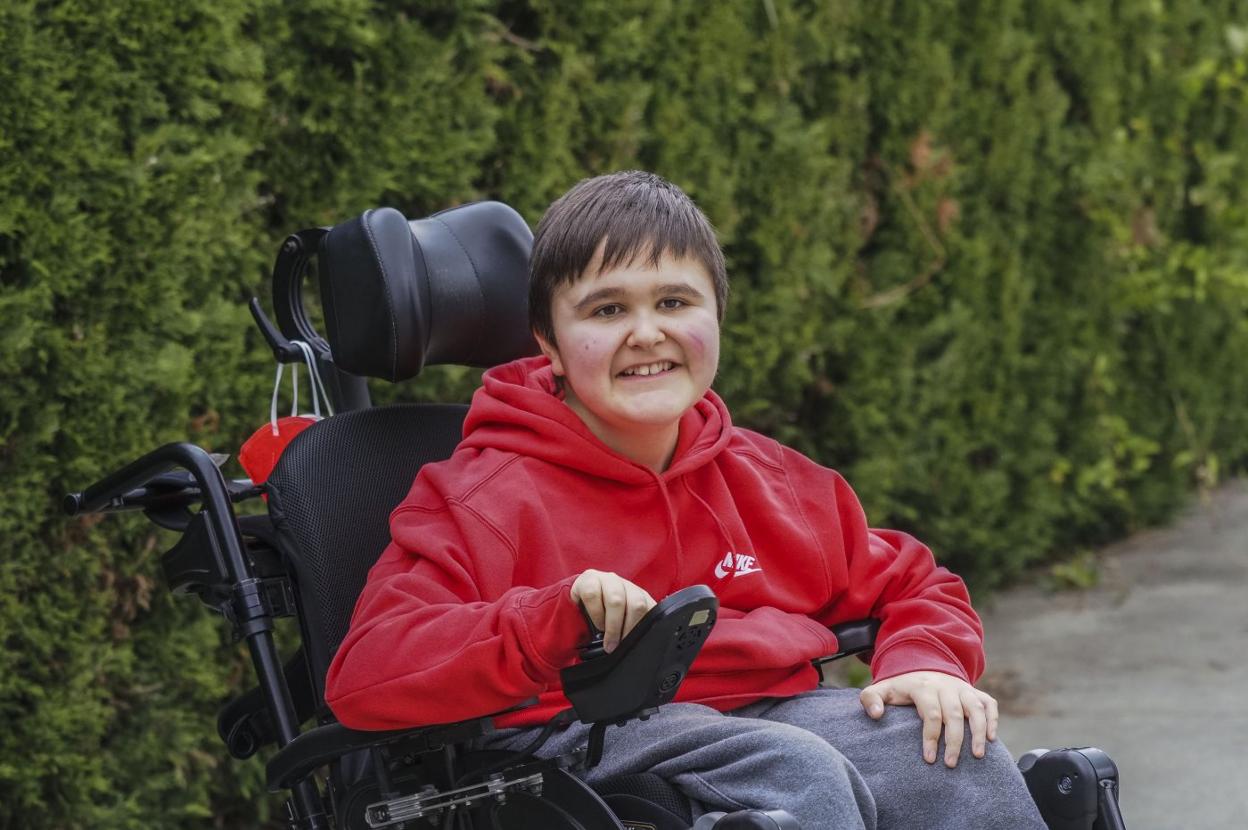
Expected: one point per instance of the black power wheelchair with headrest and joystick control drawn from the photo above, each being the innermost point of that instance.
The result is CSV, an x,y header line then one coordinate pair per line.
x,y
399,296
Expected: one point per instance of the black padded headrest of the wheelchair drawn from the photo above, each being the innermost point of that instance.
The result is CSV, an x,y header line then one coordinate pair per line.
x,y
450,289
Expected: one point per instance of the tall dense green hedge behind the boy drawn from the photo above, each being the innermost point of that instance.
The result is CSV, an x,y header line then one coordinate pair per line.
x,y
988,259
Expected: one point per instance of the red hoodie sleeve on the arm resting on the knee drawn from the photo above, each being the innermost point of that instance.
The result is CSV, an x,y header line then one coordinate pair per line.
x,y
927,621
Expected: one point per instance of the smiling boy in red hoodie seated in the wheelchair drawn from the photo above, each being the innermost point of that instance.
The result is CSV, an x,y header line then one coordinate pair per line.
x,y
607,474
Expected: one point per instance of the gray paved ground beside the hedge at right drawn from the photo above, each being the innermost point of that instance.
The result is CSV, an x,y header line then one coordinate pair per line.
x,y
1151,667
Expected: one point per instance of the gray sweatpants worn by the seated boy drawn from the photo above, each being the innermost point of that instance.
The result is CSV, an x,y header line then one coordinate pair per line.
x,y
818,756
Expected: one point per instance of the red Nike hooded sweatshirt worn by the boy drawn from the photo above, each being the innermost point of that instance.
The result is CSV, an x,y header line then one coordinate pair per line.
x,y
469,610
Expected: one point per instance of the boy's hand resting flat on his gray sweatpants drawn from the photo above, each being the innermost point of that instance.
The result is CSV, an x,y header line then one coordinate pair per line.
x,y
943,702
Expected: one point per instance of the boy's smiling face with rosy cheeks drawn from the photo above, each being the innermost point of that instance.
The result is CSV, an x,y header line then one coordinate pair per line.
x,y
637,346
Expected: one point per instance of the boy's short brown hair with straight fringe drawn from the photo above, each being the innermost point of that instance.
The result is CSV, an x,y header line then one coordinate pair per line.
x,y
632,215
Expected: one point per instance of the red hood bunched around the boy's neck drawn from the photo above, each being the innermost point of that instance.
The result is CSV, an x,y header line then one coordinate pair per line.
x,y
520,410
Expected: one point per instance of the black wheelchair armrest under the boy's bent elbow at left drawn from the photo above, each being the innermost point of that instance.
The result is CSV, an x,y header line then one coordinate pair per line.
x,y
325,745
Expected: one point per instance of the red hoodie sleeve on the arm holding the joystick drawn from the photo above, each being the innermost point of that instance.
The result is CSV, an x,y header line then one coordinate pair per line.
x,y
439,637
